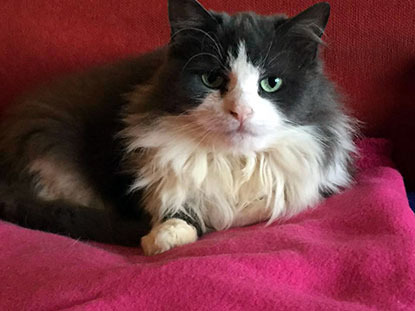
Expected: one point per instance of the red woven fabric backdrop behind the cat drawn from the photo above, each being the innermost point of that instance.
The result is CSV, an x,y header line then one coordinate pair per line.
x,y
371,50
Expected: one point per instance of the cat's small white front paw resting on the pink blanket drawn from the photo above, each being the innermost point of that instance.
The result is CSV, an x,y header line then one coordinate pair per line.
x,y
171,233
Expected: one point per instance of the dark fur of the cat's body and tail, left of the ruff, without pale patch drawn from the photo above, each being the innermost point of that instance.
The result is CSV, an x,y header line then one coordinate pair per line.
x,y
81,126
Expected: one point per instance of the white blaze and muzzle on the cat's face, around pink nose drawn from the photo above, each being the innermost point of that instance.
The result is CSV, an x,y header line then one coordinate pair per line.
x,y
242,96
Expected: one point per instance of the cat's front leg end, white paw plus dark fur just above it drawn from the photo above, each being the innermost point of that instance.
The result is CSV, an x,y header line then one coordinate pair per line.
x,y
175,230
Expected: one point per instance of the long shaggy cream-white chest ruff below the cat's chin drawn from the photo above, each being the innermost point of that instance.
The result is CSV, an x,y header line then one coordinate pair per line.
x,y
226,189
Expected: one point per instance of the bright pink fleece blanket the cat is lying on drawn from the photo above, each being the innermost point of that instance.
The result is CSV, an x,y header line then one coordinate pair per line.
x,y
354,252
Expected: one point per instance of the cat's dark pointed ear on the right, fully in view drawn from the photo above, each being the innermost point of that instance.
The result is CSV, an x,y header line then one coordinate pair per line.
x,y
307,28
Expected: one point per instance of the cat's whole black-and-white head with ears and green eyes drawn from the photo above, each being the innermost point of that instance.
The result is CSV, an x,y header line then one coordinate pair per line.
x,y
234,82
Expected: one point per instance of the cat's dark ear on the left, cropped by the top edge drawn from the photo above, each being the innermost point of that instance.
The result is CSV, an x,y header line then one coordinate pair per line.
x,y
187,14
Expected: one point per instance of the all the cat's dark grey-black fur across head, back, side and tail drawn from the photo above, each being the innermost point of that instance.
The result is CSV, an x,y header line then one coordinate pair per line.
x,y
77,121
